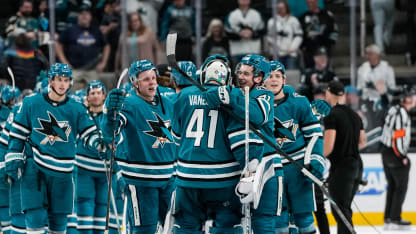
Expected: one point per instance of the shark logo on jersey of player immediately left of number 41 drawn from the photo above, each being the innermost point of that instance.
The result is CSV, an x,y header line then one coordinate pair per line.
x,y
160,130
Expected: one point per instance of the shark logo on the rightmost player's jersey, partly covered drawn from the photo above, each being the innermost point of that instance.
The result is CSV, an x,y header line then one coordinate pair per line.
x,y
285,131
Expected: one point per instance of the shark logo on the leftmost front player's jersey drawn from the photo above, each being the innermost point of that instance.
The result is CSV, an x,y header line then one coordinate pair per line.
x,y
53,130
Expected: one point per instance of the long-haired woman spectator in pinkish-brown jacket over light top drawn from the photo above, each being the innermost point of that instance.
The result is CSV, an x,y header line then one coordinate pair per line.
x,y
141,42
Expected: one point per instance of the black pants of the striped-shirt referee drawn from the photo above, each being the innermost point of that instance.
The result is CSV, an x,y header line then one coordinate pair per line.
x,y
397,176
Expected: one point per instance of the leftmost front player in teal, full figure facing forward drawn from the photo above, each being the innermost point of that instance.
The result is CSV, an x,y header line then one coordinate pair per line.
x,y
50,122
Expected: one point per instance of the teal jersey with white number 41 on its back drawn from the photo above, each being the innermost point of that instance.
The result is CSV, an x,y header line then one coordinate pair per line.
x,y
205,159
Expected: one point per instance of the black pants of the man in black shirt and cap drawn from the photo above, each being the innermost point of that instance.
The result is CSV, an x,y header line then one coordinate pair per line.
x,y
343,183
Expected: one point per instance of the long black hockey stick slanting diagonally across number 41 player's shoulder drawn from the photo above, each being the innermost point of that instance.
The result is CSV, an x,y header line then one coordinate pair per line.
x,y
170,52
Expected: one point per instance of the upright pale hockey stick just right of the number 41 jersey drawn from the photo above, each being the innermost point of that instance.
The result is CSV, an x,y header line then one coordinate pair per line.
x,y
246,206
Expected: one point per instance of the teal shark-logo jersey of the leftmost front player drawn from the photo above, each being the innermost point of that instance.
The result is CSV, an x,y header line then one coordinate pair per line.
x,y
51,128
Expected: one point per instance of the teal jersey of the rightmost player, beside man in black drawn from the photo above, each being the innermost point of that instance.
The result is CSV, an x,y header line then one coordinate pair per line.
x,y
297,131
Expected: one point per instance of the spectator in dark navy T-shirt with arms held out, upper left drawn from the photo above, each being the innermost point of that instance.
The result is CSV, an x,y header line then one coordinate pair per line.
x,y
83,47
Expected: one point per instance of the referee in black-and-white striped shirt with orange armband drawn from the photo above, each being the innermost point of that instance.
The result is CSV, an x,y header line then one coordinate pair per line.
x,y
396,141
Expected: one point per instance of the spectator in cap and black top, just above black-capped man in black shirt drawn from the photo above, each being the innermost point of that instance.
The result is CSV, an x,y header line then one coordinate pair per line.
x,y
320,74
